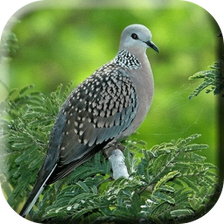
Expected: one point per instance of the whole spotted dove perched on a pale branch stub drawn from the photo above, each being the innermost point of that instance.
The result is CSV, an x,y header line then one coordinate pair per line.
x,y
108,106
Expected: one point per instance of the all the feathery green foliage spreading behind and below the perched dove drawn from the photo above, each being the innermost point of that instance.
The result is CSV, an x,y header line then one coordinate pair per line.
x,y
170,183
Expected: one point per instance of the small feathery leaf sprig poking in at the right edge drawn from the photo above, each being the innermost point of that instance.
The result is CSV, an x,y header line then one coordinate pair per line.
x,y
213,80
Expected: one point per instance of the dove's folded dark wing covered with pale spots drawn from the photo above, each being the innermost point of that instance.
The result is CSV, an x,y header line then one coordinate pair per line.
x,y
96,112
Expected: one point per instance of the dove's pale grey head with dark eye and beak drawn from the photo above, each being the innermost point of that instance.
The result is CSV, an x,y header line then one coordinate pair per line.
x,y
137,37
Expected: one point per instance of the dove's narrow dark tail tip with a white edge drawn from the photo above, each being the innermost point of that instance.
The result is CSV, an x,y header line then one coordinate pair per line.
x,y
37,190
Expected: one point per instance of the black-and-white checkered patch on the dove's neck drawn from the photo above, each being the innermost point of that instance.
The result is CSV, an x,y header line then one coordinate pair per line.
x,y
127,60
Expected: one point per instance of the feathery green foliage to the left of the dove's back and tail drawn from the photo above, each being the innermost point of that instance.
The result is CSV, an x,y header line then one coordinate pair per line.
x,y
26,119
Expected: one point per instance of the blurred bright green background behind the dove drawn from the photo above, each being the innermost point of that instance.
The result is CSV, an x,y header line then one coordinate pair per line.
x,y
62,45
